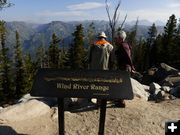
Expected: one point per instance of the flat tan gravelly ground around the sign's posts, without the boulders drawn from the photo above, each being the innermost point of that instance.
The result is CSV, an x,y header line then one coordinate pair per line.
x,y
138,118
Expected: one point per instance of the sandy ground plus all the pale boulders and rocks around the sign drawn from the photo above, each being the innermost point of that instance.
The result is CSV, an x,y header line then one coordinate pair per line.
x,y
157,99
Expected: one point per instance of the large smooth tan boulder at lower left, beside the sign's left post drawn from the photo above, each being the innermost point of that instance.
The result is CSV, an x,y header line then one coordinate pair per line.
x,y
26,110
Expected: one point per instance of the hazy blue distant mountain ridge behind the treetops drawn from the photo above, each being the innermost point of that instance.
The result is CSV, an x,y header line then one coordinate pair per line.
x,y
34,35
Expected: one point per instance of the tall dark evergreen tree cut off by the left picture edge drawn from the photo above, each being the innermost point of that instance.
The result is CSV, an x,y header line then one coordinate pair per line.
x,y
4,63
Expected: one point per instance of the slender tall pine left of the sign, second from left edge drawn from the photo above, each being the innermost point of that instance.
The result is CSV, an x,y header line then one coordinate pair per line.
x,y
19,68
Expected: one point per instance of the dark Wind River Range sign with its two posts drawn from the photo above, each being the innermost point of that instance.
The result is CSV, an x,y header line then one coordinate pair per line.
x,y
105,85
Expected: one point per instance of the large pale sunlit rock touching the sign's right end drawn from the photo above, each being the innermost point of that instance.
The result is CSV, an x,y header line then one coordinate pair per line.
x,y
139,89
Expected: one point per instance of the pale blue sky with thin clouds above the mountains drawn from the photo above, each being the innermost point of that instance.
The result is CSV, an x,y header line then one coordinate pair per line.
x,y
44,11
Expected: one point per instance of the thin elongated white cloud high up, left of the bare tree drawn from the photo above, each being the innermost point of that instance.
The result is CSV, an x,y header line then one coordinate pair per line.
x,y
85,6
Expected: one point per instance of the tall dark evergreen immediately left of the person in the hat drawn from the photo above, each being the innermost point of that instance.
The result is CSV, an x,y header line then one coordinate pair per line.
x,y
78,61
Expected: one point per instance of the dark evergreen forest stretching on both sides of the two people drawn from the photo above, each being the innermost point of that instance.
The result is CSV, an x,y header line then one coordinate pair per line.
x,y
17,71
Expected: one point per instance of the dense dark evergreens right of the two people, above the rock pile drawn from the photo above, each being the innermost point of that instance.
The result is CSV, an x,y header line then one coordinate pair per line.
x,y
159,48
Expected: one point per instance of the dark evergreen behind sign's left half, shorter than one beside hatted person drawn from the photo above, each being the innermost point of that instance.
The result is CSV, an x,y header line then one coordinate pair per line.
x,y
54,52
